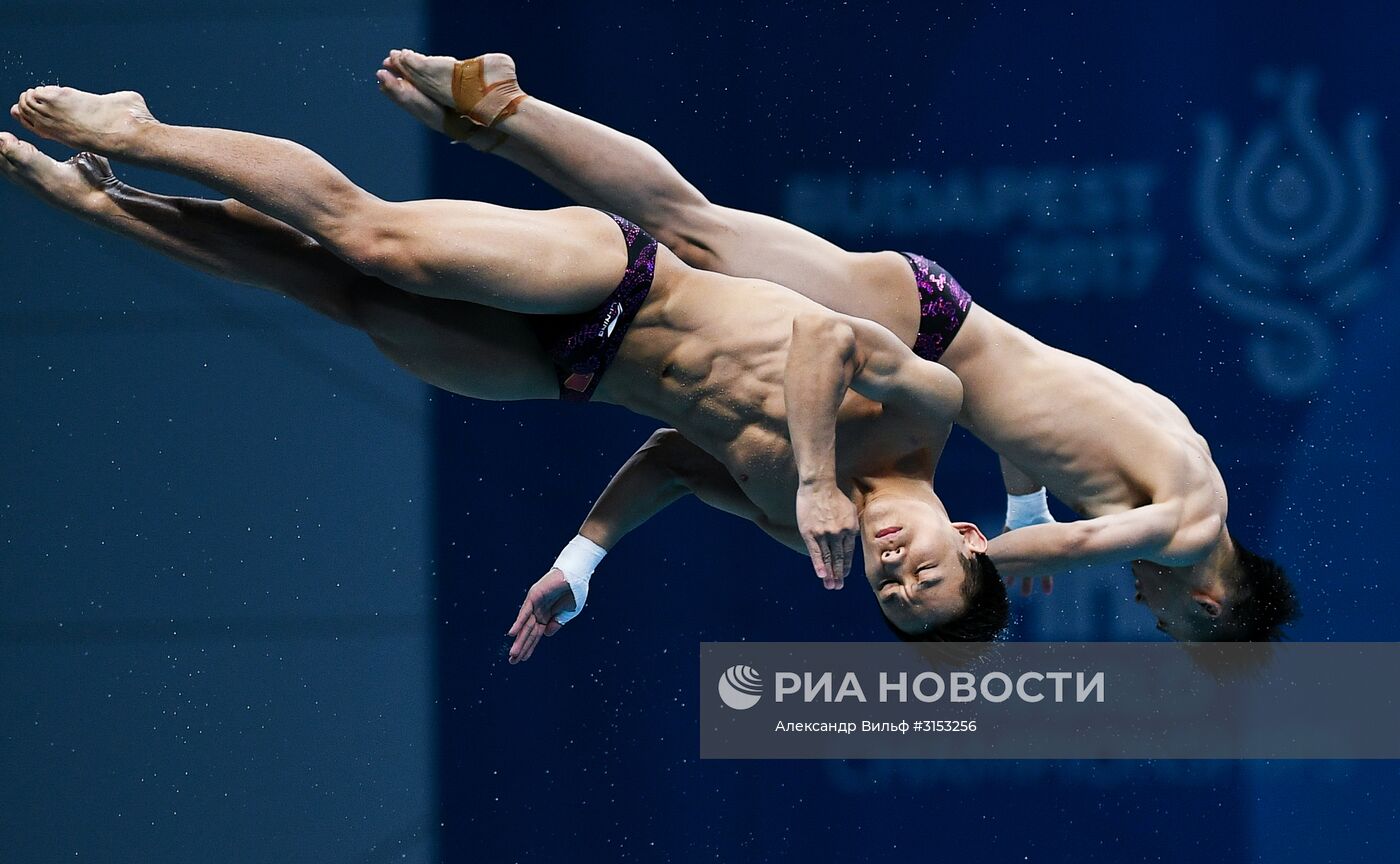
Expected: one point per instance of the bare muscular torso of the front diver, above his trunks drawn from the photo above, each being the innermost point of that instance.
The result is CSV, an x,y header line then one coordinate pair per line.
x,y
708,355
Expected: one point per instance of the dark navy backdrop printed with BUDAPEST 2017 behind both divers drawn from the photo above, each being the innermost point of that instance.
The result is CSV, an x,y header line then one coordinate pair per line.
x,y
1193,194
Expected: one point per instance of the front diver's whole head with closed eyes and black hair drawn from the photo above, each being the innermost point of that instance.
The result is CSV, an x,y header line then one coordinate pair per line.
x,y
932,576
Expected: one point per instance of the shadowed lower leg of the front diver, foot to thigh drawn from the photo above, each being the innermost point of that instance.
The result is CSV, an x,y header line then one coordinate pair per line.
x,y
458,347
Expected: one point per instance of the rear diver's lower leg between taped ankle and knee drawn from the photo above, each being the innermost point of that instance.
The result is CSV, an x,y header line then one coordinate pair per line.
x,y
597,166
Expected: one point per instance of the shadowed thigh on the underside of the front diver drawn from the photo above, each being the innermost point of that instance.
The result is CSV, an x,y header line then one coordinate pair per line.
x,y
458,347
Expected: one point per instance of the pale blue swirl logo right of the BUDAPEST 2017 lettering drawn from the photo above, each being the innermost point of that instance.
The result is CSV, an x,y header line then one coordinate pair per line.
x,y
1290,221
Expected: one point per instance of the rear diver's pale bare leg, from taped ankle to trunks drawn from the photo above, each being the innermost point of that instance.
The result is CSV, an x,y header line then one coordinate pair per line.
x,y
601,167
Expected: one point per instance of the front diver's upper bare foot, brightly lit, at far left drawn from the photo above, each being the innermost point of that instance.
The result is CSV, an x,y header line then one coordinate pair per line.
x,y
85,121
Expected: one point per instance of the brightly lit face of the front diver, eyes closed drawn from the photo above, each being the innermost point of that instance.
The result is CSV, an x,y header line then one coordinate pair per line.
x,y
913,561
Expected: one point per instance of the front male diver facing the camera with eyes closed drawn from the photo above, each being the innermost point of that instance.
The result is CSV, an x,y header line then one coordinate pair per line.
x,y
815,425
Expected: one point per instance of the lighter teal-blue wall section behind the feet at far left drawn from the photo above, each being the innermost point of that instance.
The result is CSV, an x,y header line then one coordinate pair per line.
x,y
215,548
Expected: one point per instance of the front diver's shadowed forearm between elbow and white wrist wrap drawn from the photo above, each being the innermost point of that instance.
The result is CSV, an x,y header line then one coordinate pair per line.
x,y
646,485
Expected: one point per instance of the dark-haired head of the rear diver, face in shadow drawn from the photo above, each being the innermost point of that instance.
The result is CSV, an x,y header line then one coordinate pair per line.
x,y
1231,596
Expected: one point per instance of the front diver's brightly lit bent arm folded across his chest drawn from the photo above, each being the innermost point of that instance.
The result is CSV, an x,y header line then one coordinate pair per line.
x,y
828,356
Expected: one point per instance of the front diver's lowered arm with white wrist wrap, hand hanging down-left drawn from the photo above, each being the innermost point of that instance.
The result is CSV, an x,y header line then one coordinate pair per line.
x,y
663,471
